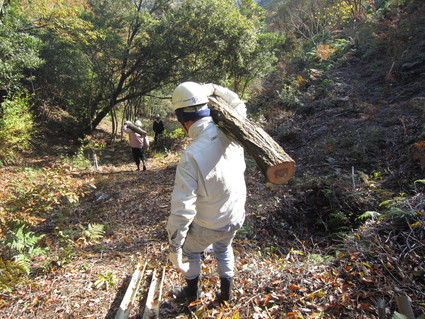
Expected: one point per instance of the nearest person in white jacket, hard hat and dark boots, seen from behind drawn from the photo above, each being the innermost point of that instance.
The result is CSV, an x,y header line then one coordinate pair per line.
x,y
208,199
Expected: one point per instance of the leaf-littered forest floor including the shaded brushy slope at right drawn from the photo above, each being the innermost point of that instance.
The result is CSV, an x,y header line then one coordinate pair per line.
x,y
290,260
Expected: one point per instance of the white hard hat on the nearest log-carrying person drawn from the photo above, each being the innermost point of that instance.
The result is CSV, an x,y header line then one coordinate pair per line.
x,y
188,94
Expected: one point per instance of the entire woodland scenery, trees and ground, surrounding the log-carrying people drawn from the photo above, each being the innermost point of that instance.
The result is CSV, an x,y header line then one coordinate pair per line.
x,y
339,84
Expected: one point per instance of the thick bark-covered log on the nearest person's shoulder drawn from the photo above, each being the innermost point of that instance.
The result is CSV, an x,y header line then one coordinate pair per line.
x,y
277,166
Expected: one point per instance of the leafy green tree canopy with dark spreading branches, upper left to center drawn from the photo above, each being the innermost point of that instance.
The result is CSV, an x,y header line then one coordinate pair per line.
x,y
99,55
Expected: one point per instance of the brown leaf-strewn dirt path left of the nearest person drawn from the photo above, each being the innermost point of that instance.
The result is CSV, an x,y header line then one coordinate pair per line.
x,y
133,206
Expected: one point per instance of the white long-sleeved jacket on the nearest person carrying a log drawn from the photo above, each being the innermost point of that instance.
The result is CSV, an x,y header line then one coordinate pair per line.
x,y
209,187
